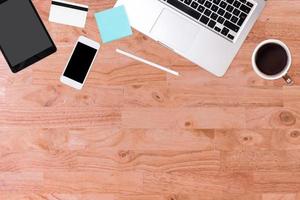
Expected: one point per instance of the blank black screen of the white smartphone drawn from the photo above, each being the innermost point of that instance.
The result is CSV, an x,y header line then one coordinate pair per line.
x,y
80,62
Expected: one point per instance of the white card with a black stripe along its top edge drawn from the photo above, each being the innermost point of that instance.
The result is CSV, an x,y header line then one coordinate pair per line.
x,y
68,13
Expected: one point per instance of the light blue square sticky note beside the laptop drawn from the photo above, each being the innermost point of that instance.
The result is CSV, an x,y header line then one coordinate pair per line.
x,y
113,24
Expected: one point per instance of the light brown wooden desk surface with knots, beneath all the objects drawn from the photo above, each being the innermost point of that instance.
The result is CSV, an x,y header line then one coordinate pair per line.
x,y
136,133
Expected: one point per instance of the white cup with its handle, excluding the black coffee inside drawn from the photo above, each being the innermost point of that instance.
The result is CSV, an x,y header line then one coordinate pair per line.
x,y
284,73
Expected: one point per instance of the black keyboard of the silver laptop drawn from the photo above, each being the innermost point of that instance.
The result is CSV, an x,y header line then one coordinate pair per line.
x,y
224,17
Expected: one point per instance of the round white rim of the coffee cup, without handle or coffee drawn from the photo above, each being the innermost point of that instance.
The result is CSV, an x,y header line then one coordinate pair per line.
x,y
276,76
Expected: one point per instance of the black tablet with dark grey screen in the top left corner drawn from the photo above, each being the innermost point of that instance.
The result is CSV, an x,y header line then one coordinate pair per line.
x,y
24,39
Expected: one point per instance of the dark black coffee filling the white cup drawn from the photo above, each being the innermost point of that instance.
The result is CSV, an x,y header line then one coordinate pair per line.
x,y
271,59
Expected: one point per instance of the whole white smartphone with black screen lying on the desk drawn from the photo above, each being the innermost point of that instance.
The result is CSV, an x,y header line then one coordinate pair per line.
x,y
80,63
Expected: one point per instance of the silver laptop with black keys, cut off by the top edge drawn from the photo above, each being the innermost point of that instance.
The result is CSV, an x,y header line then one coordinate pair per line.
x,y
207,32
